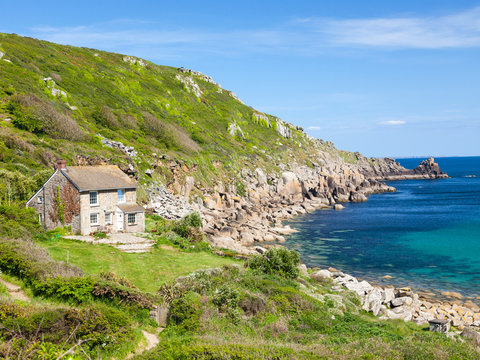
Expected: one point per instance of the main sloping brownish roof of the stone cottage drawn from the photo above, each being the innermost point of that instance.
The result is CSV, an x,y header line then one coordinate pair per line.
x,y
102,177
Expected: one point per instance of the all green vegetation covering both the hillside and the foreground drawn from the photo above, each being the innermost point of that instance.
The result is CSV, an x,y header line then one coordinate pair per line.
x,y
54,102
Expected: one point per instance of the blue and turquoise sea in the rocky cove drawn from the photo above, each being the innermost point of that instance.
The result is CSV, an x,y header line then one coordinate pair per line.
x,y
426,235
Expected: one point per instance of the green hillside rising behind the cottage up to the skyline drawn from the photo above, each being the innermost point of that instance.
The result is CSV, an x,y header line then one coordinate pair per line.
x,y
56,100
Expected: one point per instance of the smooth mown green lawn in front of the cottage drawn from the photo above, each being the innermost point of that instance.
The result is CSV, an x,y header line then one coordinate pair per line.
x,y
147,271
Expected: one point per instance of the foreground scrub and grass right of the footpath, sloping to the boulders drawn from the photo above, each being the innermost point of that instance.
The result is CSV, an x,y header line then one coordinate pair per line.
x,y
241,313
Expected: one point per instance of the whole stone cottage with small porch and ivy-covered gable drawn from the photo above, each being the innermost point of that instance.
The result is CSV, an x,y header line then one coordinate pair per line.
x,y
89,199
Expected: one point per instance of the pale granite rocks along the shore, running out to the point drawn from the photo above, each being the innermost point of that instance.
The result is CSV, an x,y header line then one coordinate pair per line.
x,y
241,223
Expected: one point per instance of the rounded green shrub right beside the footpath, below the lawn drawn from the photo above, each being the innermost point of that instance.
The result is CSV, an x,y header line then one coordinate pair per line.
x,y
186,311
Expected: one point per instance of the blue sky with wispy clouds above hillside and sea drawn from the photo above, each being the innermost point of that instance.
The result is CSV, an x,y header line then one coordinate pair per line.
x,y
385,78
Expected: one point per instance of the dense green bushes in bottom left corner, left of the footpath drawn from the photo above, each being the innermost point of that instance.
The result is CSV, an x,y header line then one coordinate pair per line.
x,y
59,329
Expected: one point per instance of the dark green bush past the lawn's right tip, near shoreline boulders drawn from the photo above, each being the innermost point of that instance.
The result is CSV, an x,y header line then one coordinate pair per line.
x,y
277,261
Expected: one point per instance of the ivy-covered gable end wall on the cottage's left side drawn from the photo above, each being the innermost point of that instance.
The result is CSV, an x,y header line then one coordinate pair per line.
x,y
48,210
